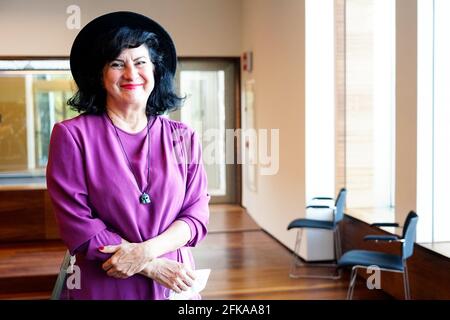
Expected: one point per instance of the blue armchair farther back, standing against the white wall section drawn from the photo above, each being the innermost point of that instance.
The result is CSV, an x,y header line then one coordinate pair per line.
x,y
333,225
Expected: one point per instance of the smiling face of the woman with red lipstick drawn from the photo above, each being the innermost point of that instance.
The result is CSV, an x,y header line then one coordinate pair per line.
x,y
128,80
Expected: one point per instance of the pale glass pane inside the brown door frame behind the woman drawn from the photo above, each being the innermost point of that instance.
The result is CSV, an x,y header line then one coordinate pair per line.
x,y
204,111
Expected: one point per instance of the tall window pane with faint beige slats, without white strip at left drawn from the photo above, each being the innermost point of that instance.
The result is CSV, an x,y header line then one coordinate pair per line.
x,y
370,103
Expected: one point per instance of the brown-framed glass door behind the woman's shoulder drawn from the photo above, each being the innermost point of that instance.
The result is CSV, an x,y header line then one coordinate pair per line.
x,y
210,89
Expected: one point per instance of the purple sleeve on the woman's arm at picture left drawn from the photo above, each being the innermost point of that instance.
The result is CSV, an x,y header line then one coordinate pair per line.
x,y
66,183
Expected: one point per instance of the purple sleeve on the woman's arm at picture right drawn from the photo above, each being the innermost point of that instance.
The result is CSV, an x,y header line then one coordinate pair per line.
x,y
195,210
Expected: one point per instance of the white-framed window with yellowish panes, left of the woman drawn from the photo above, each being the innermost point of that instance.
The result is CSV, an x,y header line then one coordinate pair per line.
x,y
33,97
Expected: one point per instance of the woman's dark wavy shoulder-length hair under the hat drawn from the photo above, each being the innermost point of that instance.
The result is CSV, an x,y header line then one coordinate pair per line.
x,y
91,94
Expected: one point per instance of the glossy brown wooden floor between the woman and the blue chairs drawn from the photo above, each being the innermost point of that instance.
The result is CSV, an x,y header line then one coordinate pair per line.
x,y
247,263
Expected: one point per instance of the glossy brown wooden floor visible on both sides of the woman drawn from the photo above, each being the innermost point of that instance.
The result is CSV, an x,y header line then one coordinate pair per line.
x,y
246,263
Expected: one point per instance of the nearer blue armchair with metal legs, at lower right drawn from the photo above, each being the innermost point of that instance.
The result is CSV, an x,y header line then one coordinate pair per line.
x,y
358,259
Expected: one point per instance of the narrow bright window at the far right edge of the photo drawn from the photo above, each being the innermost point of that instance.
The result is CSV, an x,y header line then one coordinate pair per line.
x,y
433,114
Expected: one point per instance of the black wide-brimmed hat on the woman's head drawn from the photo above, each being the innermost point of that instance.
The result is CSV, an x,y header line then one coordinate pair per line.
x,y
94,30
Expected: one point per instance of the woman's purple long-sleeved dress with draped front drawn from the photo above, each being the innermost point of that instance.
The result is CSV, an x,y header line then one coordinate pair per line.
x,y
95,196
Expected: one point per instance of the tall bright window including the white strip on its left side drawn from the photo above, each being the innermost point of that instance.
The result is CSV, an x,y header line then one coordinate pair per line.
x,y
350,101
